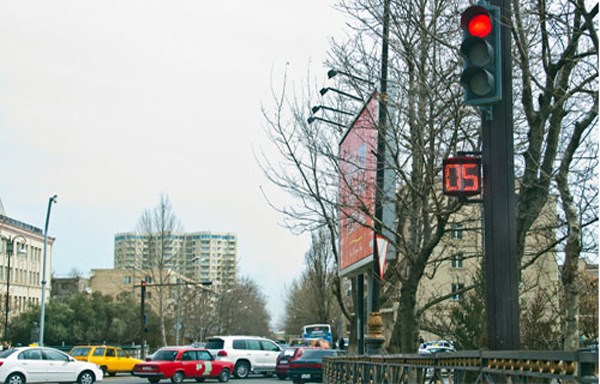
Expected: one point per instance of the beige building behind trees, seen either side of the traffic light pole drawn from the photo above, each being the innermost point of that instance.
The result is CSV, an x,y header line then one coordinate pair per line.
x,y
458,260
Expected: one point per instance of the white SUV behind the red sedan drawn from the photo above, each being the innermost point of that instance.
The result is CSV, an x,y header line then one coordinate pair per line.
x,y
248,353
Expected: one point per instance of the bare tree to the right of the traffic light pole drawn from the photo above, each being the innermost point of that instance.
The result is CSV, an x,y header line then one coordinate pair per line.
x,y
557,54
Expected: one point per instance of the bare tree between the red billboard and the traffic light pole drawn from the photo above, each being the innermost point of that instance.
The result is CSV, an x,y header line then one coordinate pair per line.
x,y
428,122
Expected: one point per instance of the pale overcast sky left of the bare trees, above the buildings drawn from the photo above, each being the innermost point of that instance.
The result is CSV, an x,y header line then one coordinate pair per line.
x,y
111,103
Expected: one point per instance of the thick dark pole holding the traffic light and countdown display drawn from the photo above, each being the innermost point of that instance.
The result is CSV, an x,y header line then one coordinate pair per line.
x,y
501,264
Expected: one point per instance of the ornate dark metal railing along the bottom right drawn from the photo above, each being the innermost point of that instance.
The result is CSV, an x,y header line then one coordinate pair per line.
x,y
481,367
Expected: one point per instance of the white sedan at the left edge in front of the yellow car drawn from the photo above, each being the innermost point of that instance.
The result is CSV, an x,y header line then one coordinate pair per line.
x,y
43,364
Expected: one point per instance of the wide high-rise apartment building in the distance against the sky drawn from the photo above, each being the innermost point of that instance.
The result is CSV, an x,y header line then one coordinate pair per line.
x,y
202,256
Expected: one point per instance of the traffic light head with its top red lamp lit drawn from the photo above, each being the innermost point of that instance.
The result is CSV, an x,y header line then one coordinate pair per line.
x,y
482,55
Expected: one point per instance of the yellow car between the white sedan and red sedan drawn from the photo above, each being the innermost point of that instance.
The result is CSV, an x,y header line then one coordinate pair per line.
x,y
111,360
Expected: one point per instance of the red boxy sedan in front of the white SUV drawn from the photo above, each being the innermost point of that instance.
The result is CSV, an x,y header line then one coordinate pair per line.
x,y
179,363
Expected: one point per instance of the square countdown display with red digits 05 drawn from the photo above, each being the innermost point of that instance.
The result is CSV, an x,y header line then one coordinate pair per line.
x,y
462,176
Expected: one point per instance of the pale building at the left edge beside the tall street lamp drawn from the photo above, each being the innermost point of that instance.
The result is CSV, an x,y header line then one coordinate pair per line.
x,y
25,287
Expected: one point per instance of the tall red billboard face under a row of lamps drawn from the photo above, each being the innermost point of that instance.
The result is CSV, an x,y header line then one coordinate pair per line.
x,y
358,172
